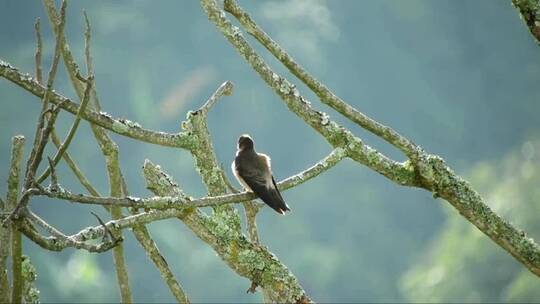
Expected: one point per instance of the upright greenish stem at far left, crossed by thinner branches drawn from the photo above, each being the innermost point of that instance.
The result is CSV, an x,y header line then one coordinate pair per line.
x,y
17,145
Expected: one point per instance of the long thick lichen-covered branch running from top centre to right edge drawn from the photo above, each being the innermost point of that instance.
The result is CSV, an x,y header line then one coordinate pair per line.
x,y
421,170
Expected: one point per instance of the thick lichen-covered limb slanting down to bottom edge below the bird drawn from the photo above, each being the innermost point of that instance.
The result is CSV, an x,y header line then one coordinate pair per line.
x,y
247,259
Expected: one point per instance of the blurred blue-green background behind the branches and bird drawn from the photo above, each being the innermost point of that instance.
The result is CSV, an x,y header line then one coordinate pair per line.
x,y
460,78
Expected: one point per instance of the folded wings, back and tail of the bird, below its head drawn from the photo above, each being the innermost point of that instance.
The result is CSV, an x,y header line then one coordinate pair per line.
x,y
260,180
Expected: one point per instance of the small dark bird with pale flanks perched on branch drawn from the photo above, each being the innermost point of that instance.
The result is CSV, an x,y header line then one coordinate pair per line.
x,y
254,172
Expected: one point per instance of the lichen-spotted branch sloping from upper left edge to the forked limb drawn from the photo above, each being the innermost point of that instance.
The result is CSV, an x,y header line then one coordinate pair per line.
x,y
120,126
